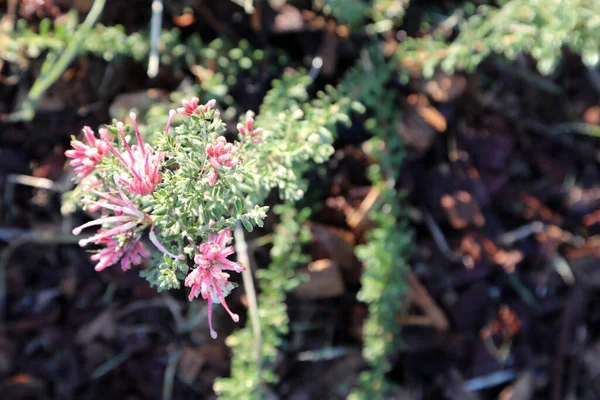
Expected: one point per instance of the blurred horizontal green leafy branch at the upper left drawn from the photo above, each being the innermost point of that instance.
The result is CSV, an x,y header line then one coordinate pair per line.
x,y
218,64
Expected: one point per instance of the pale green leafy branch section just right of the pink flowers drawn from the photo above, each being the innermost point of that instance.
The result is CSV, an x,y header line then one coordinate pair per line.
x,y
300,131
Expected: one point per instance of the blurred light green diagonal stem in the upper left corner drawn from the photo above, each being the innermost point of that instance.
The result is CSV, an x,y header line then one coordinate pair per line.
x,y
43,83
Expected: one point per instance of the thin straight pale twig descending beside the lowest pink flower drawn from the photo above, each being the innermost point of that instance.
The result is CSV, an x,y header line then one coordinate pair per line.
x,y
241,249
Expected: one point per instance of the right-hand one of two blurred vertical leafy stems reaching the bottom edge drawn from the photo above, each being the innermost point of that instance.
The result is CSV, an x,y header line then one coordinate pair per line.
x,y
385,255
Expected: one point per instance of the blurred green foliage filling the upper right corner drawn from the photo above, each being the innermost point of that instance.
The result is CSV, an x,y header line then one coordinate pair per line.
x,y
539,27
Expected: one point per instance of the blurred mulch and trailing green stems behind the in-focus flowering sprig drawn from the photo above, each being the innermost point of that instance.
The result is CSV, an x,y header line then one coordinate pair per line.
x,y
448,249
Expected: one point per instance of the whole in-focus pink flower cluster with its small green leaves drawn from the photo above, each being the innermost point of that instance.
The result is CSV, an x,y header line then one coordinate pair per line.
x,y
138,187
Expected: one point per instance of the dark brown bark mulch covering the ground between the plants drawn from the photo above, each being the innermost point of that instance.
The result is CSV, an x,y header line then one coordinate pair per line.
x,y
506,215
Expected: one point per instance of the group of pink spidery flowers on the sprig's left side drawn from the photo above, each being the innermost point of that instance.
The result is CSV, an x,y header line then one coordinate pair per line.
x,y
121,232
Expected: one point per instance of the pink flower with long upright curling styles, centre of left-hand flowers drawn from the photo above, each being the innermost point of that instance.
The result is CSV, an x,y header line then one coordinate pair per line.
x,y
142,162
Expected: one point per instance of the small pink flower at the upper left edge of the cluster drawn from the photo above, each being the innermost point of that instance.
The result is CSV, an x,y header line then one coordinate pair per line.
x,y
86,157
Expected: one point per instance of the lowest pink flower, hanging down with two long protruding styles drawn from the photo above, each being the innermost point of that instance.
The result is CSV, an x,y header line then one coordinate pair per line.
x,y
209,279
